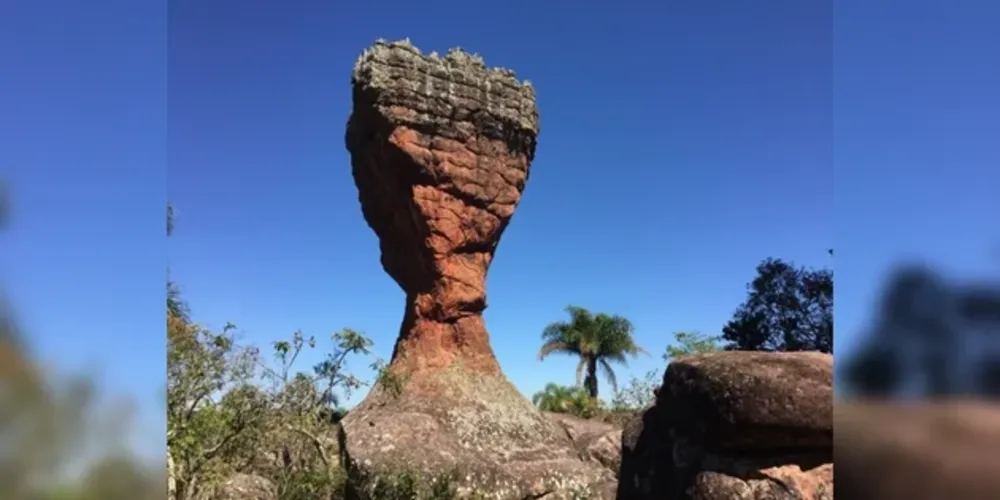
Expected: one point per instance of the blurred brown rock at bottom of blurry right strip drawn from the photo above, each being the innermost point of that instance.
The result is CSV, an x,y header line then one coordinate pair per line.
x,y
918,450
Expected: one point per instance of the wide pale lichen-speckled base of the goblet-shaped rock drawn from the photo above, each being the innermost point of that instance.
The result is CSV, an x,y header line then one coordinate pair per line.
x,y
474,427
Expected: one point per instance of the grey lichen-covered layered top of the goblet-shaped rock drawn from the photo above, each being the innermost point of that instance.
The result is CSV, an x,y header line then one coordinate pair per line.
x,y
443,89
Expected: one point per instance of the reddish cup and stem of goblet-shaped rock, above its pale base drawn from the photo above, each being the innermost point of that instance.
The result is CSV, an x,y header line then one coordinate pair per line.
x,y
440,152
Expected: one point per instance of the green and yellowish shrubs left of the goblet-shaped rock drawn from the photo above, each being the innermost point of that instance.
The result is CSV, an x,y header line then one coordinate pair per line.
x,y
232,413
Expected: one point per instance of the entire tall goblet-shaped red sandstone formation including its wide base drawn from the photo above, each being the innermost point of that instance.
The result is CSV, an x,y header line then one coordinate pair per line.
x,y
440,151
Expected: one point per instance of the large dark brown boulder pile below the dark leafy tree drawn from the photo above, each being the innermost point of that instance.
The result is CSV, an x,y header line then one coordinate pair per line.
x,y
725,425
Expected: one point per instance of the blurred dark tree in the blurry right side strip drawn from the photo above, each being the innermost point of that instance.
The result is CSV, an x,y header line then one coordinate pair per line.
x,y
918,341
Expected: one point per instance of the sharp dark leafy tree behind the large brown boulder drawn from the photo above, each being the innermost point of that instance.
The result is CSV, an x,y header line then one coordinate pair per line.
x,y
787,309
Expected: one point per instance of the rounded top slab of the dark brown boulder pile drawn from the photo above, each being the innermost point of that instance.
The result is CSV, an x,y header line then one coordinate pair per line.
x,y
751,399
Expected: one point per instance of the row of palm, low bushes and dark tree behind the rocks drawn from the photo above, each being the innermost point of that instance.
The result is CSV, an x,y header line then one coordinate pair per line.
x,y
788,308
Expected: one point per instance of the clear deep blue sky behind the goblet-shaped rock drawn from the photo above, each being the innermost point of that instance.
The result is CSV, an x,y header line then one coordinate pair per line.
x,y
682,142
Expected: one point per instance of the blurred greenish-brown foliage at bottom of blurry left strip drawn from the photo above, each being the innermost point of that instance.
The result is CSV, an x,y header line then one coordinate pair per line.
x,y
51,426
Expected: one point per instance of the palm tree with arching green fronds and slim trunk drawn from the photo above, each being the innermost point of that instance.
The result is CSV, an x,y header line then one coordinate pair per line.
x,y
597,340
